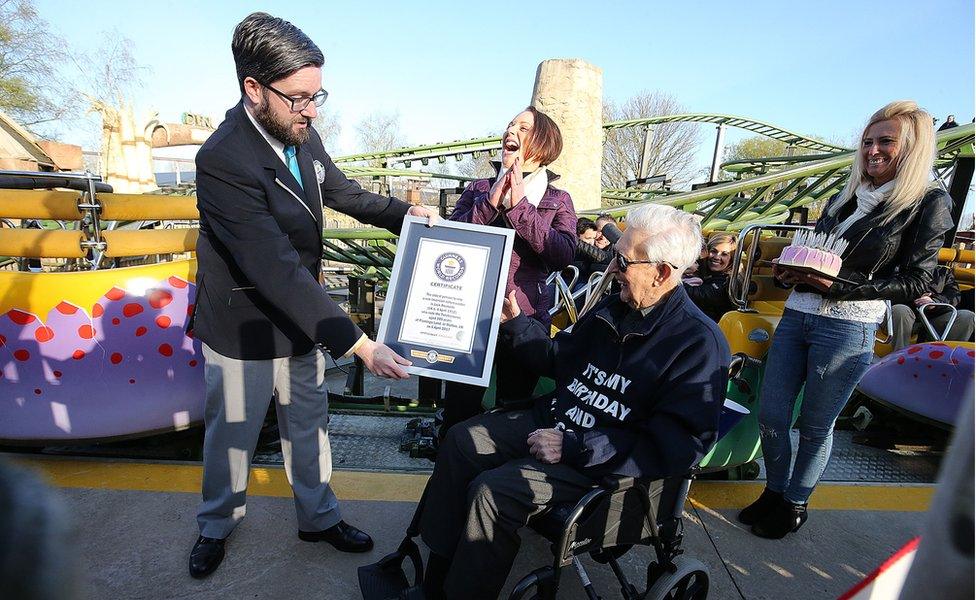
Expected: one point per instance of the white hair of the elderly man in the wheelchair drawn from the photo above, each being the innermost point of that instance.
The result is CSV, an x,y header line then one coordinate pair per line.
x,y
674,236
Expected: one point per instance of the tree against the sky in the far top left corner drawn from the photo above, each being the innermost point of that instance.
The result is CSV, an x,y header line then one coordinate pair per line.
x,y
32,86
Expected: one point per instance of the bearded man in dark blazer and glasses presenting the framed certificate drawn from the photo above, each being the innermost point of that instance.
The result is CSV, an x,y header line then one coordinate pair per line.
x,y
261,313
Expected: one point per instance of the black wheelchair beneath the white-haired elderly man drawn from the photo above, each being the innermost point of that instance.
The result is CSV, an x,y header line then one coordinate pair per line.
x,y
619,513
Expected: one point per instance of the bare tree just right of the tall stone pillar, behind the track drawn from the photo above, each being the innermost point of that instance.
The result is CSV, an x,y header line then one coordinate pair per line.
x,y
671,149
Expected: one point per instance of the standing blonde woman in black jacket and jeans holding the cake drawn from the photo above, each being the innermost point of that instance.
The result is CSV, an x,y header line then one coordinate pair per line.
x,y
894,218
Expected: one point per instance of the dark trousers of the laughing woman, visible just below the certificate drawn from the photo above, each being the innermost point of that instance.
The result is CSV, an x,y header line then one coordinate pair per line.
x,y
512,382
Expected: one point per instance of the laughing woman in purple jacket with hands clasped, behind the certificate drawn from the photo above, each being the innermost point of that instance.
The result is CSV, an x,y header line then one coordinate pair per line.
x,y
521,197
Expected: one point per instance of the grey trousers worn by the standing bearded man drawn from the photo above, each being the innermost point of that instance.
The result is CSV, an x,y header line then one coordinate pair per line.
x,y
238,393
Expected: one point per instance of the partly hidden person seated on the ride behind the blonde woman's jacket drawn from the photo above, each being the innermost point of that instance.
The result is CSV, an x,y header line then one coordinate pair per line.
x,y
944,290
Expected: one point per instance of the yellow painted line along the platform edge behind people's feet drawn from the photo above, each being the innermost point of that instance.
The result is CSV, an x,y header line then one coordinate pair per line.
x,y
407,487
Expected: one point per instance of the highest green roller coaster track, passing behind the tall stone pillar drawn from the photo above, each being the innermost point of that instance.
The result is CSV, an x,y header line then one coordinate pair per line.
x,y
477,146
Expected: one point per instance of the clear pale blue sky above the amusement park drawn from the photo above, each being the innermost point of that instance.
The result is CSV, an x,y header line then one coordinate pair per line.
x,y
454,70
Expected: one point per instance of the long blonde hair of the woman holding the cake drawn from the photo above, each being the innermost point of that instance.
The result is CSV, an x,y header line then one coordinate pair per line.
x,y
913,168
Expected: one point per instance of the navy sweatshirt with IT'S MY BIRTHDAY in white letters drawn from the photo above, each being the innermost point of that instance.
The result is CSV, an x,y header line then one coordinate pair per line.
x,y
642,404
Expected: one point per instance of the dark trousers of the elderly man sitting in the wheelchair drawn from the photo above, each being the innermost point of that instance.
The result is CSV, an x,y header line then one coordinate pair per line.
x,y
484,488
